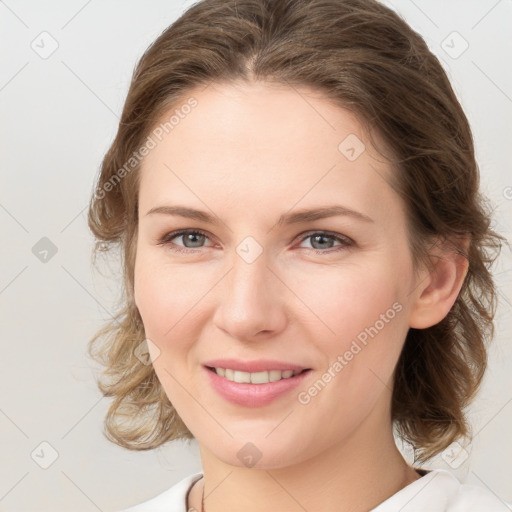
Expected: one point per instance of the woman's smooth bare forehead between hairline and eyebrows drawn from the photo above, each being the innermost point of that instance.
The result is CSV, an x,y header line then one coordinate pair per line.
x,y
263,145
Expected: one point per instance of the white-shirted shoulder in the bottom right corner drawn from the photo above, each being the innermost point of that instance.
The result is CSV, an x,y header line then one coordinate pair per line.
x,y
440,491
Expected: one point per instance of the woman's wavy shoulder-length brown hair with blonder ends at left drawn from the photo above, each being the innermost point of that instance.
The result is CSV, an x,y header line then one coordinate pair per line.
x,y
364,57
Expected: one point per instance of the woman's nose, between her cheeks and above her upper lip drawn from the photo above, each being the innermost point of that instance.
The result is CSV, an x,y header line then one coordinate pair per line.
x,y
251,301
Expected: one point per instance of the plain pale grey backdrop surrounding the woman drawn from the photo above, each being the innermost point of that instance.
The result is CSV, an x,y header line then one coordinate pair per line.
x,y
65,71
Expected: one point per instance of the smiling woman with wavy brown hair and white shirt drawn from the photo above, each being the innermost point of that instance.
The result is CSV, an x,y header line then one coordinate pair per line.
x,y
254,133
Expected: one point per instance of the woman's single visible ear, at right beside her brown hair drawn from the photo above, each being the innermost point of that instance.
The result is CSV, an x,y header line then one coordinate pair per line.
x,y
439,285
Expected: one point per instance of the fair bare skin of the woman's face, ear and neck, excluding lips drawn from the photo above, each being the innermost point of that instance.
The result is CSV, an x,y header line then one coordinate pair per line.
x,y
247,154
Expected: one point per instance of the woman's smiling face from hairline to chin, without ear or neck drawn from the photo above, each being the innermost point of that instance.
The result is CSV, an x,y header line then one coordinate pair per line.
x,y
330,295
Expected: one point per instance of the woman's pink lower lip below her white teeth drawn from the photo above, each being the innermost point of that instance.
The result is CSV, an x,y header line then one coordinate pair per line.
x,y
253,395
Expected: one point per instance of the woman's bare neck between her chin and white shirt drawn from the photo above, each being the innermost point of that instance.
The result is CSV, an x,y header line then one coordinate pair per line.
x,y
354,475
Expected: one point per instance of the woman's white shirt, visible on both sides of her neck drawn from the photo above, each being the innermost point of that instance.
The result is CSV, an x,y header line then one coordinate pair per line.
x,y
436,491
